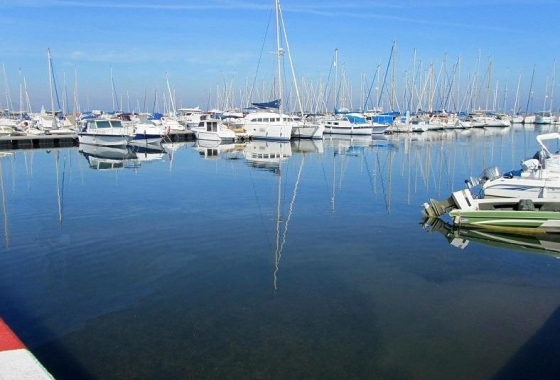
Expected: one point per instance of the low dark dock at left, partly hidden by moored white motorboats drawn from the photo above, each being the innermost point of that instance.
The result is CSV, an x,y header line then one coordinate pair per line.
x,y
65,141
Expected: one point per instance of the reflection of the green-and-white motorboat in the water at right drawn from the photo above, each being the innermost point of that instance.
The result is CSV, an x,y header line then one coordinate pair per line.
x,y
542,243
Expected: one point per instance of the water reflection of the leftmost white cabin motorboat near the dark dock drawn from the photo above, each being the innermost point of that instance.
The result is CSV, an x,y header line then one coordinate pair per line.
x,y
109,157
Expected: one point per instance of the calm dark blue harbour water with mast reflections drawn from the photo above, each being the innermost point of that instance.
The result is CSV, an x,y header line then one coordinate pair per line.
x,y
203,263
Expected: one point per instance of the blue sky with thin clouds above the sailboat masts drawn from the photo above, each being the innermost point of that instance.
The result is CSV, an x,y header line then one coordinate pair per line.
x,y
207,47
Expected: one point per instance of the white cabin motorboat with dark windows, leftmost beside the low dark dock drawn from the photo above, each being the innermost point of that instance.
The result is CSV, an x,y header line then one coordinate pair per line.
x,y
104,132
